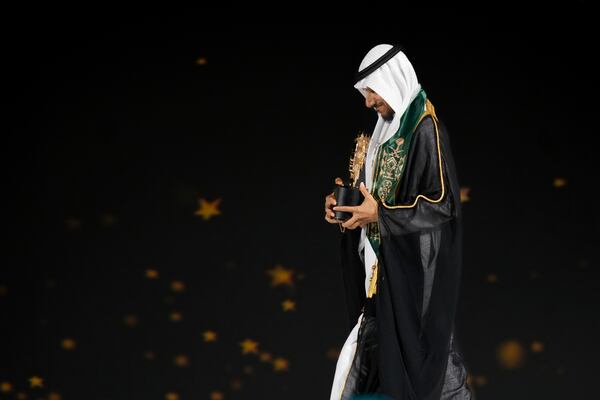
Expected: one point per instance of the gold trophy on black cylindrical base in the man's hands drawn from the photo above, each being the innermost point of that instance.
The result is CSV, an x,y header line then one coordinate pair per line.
x,y
348,194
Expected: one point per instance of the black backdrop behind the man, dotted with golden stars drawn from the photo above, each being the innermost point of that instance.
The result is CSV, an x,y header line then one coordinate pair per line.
x,y
114,132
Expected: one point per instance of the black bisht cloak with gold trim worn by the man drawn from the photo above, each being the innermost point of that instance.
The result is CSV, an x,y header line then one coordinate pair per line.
x,y
415,307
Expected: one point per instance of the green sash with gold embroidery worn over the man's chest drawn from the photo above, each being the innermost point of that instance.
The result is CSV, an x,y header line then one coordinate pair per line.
x,y
390,161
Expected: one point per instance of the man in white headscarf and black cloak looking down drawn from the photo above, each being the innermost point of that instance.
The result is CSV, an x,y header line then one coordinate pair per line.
x,y
401,269
